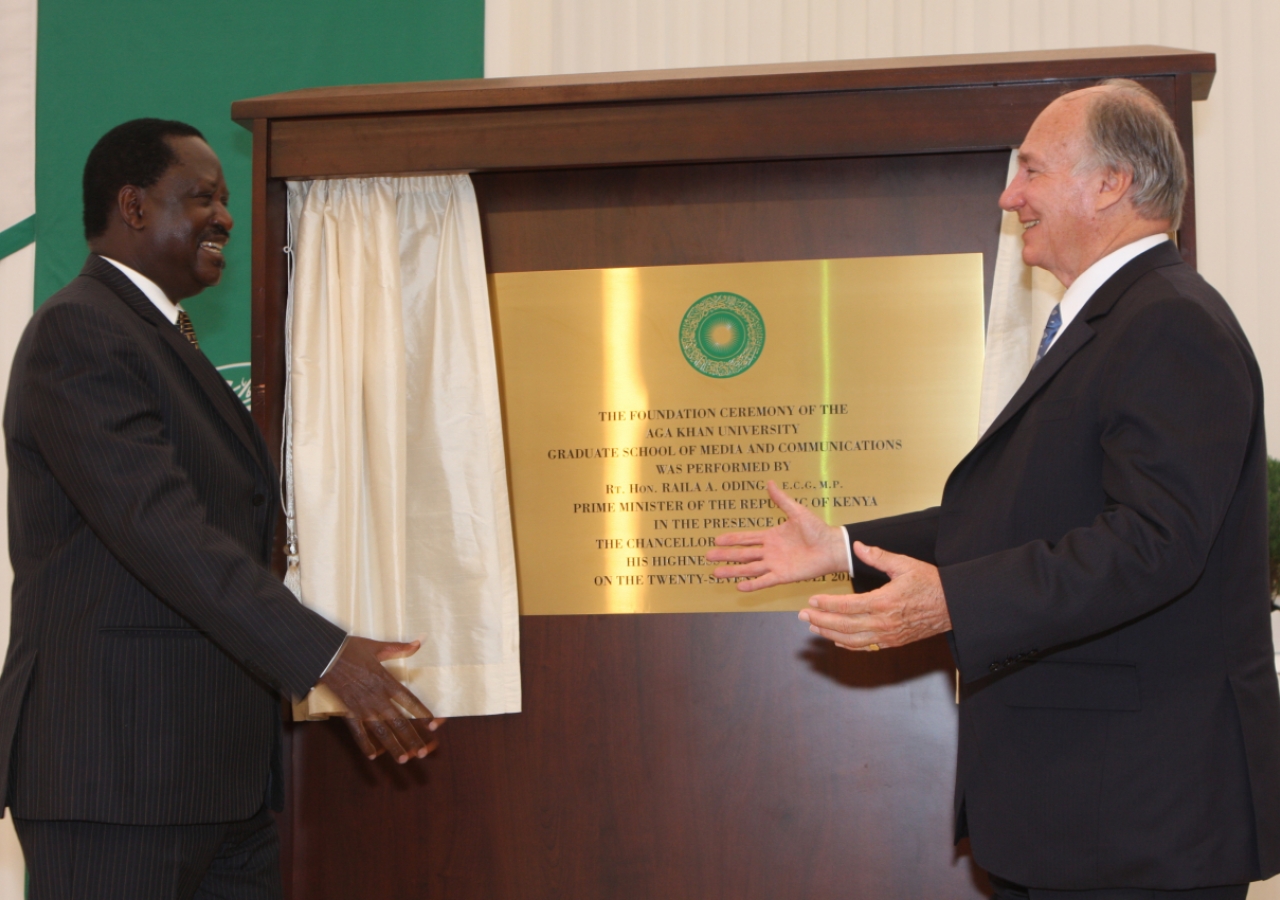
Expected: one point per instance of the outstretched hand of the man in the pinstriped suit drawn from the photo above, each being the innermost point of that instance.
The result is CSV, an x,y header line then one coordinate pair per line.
x,y
374,701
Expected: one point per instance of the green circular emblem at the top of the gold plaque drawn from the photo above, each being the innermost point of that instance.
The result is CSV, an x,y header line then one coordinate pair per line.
x,y
723,335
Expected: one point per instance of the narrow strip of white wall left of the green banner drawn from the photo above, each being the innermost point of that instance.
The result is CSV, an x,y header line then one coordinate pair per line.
x,y
17,286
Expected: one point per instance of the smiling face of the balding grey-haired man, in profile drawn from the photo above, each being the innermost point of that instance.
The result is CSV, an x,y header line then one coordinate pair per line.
x,y
1057,204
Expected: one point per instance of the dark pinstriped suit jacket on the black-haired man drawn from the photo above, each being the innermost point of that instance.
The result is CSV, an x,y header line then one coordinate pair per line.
x,y
150,643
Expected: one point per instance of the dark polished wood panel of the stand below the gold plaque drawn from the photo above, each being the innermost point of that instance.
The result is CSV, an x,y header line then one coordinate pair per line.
x,y
679,757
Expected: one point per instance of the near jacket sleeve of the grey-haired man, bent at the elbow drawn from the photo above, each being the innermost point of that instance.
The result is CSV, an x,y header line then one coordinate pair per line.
x,y
1176,415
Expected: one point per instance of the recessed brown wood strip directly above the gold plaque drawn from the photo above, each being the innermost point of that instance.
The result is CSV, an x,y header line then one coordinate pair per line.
x,y
742,212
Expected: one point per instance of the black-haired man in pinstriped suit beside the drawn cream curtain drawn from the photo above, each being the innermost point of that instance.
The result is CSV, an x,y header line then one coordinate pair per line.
x,y
140,703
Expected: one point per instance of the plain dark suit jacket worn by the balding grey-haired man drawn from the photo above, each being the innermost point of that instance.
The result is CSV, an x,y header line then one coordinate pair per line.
x,y
1104,551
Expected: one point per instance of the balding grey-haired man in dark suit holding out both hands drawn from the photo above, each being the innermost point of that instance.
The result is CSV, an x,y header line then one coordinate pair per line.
x,y
1099,559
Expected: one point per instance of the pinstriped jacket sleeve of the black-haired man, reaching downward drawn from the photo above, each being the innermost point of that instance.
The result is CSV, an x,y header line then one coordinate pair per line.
x,y
95,414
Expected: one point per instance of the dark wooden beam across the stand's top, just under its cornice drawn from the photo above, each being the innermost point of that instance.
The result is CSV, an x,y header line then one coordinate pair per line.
x,y
833,125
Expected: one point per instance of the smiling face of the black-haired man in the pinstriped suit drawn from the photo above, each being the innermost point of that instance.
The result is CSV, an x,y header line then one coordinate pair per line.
x,y
181,223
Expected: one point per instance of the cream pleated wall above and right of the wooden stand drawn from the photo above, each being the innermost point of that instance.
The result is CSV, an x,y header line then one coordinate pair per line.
x,y
1237,131
